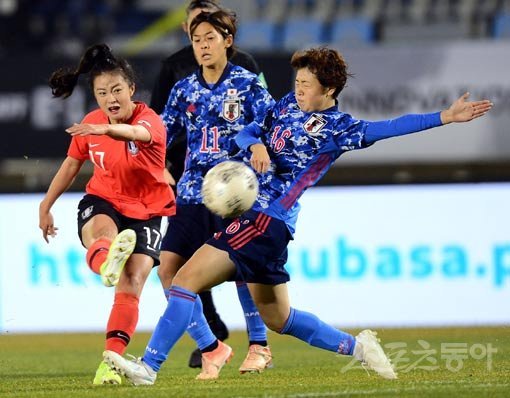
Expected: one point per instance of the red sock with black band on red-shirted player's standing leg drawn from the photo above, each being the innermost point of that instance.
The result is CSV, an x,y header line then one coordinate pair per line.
x,y
122,322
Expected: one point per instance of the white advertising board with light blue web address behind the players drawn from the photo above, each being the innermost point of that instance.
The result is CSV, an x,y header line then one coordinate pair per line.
x,y
362,256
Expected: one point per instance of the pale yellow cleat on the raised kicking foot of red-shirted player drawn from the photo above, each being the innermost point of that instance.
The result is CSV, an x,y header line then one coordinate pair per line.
x,y
118,254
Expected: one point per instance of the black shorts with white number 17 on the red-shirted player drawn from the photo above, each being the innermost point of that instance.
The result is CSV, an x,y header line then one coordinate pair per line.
x,y
148,232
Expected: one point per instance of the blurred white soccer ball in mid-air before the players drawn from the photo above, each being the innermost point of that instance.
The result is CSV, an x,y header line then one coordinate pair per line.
x,y
229,189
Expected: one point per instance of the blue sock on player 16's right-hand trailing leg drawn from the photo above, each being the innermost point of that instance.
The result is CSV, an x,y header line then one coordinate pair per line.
x,y
309,328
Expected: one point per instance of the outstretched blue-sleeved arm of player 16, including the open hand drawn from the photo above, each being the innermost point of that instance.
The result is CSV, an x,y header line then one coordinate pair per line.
x,y
459,111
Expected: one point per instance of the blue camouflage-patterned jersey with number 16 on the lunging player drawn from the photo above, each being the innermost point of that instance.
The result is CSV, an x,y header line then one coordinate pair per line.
x,y
302,146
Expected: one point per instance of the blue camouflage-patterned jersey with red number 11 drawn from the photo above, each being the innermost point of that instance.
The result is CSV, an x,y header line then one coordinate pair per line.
x,y
211,116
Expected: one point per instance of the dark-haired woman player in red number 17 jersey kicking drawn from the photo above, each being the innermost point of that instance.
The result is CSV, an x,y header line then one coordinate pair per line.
x,y
119,218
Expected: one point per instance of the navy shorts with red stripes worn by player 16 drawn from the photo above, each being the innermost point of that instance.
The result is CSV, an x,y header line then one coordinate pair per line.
x,y
257,244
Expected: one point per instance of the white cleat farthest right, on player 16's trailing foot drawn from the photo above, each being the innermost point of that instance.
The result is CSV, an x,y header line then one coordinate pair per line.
x,y
370,353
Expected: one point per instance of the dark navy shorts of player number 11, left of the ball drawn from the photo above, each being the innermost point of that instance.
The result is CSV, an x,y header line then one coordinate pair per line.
x,y
190,228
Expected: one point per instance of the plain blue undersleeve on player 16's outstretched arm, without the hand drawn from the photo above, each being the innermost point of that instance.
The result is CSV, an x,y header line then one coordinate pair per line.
x,y
402,125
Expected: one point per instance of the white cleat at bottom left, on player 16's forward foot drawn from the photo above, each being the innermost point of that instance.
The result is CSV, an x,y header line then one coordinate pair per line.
x,y
136,371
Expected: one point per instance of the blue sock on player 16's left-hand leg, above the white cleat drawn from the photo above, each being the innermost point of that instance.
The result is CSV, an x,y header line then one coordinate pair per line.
x,y
171,326
